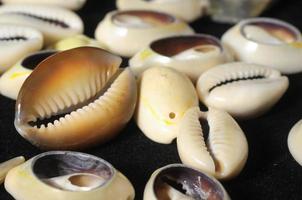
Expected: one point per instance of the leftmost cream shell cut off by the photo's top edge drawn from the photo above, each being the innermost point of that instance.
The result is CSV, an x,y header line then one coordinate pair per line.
x,y
69,4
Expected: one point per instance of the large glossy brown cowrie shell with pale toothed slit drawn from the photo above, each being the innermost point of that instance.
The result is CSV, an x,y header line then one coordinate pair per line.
x,y
67,101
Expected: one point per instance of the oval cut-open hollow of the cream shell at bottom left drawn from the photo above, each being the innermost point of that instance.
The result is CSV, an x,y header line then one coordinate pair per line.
x,y
72,171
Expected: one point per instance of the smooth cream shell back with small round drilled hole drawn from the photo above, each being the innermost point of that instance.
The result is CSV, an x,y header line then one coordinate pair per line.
x,y
164,96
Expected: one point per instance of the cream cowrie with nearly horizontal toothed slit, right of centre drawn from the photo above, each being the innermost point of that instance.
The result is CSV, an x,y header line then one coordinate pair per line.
x,y
243,90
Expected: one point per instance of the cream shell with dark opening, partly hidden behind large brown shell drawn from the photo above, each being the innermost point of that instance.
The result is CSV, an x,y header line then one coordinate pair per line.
x,y
12,80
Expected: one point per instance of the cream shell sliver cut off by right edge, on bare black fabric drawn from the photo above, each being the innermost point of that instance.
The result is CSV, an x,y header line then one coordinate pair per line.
x,y
295,142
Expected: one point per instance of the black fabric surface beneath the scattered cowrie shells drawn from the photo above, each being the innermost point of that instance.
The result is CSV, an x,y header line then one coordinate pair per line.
x,y
270,172
